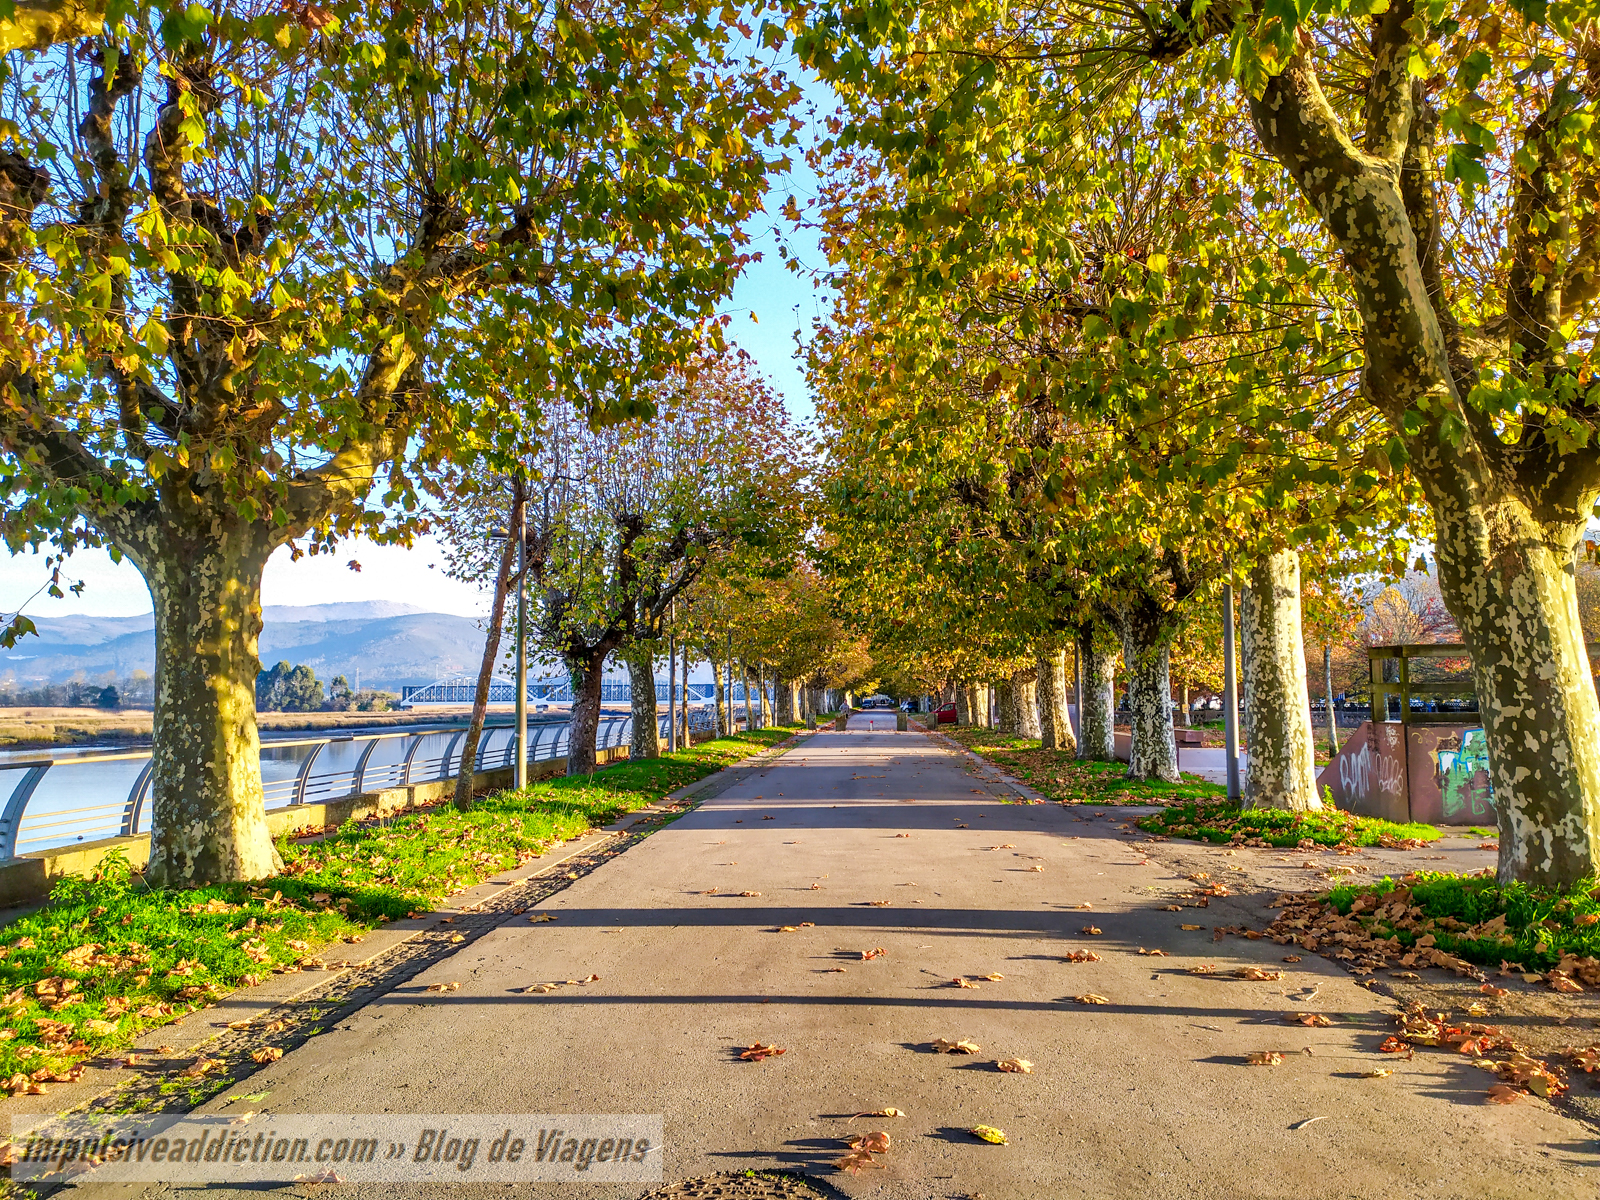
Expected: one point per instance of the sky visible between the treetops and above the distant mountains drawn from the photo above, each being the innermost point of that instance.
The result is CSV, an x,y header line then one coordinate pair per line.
x,y
782,303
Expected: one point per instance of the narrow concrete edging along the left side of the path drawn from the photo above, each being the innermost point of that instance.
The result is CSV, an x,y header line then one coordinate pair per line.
x,y
198,1028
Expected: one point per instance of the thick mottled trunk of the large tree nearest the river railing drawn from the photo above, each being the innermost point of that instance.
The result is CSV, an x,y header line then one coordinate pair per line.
x,y
207,817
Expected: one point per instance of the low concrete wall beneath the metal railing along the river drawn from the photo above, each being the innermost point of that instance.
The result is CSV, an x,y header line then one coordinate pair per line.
x,y
30,878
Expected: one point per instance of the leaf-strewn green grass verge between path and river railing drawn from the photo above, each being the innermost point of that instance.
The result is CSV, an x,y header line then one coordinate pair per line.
x,y
111,958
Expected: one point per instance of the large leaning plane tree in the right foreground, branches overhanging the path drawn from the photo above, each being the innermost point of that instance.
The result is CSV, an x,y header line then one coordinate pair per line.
x,y
1446,156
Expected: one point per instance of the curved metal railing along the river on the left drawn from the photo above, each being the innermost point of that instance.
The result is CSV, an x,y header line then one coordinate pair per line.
x,y
62,801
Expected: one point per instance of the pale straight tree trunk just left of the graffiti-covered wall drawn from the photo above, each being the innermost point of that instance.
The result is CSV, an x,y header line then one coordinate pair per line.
x,y
1281,770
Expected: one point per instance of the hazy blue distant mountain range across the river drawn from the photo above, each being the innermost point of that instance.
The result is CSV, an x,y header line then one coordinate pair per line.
x,y
386,644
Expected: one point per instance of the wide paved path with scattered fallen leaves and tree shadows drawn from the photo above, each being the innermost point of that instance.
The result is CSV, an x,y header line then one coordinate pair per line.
x,y
894,841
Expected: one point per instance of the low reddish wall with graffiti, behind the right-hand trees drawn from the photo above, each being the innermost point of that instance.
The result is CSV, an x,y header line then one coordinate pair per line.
x,y
1434,774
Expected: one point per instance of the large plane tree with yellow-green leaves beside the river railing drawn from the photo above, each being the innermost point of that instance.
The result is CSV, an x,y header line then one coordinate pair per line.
x,y
244,254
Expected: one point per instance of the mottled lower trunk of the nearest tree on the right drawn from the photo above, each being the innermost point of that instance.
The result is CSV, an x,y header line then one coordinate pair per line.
x,y
1511,585
